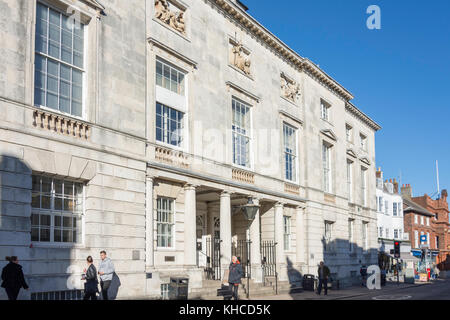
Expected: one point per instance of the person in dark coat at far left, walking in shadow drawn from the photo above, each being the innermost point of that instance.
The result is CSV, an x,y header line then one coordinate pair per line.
x,y
13,278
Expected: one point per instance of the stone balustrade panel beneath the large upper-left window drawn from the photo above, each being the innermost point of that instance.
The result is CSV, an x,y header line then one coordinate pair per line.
x,y
61,125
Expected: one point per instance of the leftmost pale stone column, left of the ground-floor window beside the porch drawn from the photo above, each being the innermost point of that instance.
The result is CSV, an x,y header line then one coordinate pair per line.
x,y
149,243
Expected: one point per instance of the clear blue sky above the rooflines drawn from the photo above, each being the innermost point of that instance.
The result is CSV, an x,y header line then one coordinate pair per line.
x,y
399,75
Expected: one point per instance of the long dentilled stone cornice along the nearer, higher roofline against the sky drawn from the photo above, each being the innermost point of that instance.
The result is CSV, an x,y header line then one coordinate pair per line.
x,y
302,64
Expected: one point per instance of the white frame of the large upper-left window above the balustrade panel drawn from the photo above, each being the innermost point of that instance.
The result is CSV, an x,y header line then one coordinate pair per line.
x,y
46,56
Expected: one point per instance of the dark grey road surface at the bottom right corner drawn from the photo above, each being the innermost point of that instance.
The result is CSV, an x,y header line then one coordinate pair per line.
x,y
438,290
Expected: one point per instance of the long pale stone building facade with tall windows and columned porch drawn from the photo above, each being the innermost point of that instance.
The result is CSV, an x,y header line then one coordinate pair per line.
x,y
161,119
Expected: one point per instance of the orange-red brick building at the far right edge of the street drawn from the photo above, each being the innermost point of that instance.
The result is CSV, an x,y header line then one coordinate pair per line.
x,y
440,224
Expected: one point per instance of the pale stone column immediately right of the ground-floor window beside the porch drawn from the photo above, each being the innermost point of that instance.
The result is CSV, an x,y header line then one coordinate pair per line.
x,y
190,237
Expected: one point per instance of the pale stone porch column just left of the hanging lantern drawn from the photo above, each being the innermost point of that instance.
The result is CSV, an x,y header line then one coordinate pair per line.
x,y
225,229
